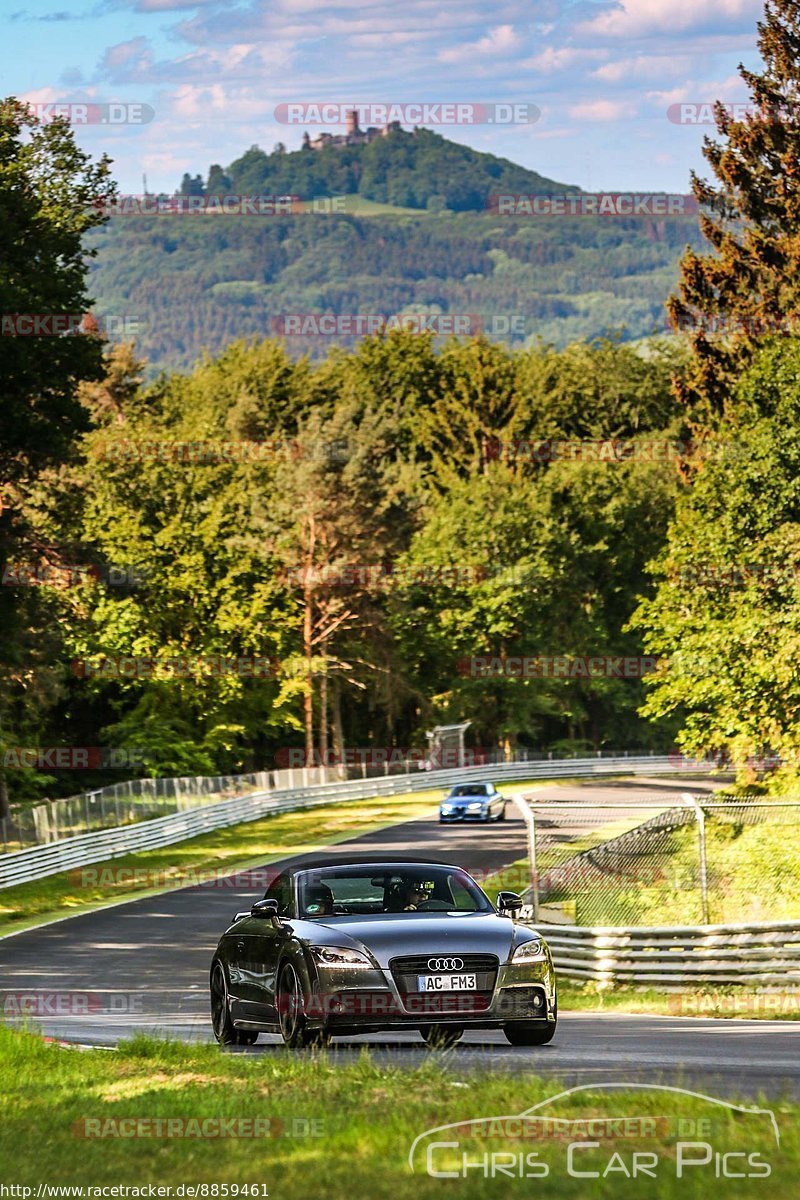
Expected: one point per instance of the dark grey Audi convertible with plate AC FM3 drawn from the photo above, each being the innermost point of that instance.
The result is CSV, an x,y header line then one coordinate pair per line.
x,y
338,949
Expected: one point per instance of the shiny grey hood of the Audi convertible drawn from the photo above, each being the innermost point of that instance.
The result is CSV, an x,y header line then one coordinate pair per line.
x,y
401,934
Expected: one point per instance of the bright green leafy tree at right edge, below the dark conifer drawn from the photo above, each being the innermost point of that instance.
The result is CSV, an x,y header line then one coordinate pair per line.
x,y
726,617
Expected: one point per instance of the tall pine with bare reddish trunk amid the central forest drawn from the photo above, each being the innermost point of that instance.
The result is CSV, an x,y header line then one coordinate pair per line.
x,y
339,509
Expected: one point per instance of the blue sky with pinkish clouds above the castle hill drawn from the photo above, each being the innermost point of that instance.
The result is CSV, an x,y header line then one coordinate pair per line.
x,y
604,79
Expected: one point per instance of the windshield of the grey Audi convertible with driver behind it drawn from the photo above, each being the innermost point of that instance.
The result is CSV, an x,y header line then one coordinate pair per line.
x,y
375,892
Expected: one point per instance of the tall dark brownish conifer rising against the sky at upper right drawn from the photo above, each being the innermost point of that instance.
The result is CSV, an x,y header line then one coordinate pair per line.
x,y
749,286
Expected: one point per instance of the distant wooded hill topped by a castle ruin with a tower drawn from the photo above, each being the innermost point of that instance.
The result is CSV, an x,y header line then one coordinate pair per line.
x,y
201,281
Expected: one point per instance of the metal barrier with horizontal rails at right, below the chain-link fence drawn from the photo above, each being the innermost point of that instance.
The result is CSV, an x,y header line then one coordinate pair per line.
x,y
688,956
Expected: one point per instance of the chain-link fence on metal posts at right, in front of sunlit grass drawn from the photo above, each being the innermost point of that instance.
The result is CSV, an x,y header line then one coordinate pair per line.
x,y
701,862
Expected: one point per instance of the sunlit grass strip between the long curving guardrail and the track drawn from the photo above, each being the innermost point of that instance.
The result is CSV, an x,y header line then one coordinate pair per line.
x,y
239,848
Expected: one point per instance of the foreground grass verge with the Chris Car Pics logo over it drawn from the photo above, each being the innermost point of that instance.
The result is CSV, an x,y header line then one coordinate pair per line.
x,y
345,1130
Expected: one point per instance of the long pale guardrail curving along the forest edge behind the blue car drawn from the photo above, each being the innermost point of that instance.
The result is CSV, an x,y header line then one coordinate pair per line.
x,y
26,866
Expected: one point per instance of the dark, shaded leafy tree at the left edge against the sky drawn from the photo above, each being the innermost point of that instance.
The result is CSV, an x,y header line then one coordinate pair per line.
x,y
51,195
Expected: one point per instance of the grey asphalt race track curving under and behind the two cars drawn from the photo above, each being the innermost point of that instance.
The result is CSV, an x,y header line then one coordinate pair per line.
x,y
142,967
